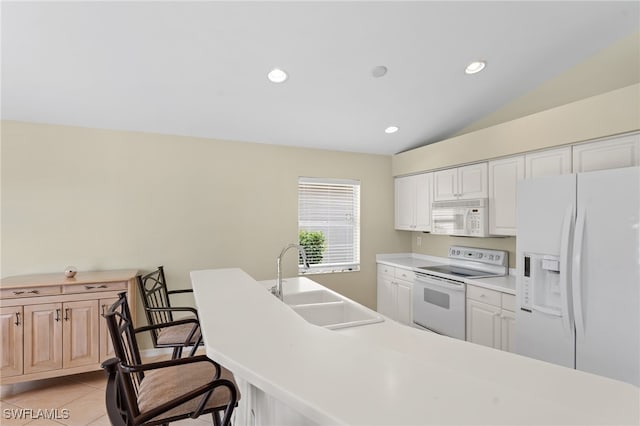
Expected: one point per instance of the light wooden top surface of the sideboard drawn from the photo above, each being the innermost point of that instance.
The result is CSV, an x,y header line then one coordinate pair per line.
x,y
58,278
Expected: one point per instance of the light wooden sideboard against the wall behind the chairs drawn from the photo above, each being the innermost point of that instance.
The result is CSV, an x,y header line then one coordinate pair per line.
x,y
52,326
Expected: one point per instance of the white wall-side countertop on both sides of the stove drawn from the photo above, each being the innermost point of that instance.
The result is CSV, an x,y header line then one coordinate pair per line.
x,y
413,261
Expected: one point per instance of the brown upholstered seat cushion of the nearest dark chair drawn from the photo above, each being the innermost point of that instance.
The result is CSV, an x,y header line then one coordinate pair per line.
x,y
165,384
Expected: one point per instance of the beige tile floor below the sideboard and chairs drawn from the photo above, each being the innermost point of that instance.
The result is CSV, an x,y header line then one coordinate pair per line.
x,y
71,400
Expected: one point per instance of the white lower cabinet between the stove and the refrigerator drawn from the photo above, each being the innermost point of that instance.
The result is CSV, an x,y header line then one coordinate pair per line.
x,y
490,318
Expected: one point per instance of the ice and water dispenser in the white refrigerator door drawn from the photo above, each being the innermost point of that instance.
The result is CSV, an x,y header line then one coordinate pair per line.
x,y
541,283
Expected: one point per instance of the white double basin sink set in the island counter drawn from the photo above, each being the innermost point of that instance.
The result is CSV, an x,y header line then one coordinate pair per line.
x,y
328,309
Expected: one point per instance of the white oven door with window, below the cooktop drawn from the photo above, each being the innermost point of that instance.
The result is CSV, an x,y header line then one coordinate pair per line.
x,y
439,305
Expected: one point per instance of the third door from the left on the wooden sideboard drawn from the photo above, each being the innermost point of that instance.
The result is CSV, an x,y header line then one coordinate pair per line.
x,y
80,333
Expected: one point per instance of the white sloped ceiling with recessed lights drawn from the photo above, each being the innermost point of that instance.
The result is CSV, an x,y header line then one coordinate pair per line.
x,y
199,68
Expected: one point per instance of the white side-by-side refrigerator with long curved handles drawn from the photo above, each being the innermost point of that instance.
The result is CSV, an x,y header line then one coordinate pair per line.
x,y
578,279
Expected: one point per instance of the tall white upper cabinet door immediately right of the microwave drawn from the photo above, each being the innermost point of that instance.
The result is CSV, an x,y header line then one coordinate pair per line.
x,y
503,190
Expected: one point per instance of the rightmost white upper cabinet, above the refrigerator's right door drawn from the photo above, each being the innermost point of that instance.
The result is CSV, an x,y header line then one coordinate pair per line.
x,y
613,153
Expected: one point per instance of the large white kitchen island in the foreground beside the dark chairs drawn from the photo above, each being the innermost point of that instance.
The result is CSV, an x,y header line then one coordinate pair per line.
x,y
385,373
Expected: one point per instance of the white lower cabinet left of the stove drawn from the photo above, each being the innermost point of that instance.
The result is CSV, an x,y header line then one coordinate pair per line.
x,y
395,293
